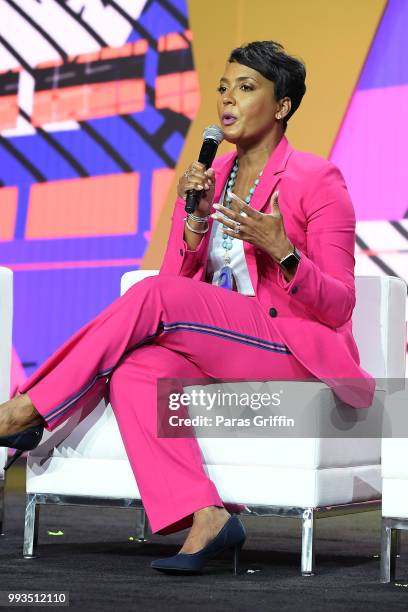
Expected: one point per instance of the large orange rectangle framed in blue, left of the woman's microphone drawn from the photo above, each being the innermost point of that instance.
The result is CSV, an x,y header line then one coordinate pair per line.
x,y
92,206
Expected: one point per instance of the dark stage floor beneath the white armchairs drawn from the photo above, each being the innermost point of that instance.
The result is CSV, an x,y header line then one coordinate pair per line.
x,y
102,568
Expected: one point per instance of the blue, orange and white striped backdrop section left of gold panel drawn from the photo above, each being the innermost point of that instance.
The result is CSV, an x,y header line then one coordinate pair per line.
x,y
95,101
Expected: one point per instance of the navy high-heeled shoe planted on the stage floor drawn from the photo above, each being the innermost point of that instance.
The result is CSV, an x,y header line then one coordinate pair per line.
x,y
232,535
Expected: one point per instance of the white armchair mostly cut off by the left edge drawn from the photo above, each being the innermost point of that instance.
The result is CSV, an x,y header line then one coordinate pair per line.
x,y
6,314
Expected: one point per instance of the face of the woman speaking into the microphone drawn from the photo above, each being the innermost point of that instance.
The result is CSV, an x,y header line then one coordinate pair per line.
x,y
247,108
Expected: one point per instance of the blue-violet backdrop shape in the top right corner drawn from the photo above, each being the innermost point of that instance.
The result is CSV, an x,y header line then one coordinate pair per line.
x,y
387,63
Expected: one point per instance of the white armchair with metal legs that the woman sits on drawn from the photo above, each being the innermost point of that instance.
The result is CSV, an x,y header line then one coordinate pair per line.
x,y
84,461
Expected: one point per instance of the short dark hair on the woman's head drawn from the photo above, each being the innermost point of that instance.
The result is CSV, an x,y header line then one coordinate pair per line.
x,y
271,60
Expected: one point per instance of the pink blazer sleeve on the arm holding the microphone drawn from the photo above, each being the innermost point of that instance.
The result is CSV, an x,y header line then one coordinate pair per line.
x,y
178,258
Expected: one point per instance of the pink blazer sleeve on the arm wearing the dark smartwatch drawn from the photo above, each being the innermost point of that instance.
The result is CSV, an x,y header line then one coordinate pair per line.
x,y
324,279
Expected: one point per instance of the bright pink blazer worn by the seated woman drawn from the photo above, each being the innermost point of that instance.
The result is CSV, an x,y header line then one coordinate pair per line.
x,y
314,309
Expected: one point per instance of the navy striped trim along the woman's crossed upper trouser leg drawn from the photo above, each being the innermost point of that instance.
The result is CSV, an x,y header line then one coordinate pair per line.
x,y
172,327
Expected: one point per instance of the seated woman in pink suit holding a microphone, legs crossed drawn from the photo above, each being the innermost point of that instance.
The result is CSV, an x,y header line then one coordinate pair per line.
x,y
257,283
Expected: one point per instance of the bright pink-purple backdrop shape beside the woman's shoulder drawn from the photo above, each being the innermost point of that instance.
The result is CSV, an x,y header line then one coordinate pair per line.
x,y
371,152
